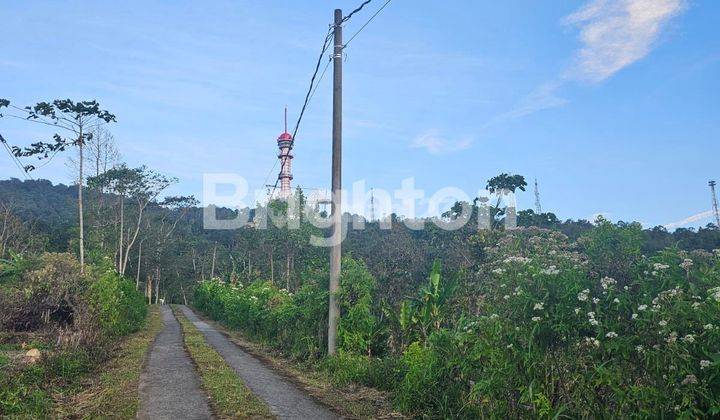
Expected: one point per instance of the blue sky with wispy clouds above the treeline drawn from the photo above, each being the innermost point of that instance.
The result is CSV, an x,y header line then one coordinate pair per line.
x,y
613,105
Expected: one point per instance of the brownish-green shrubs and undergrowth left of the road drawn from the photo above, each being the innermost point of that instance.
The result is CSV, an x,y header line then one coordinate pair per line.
x,y
69,319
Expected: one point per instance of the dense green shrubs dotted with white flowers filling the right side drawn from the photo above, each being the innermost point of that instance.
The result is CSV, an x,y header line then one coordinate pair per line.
x,y
552,337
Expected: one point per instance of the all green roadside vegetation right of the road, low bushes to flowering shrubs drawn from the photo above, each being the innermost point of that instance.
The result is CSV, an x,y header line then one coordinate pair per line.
x,y
538,330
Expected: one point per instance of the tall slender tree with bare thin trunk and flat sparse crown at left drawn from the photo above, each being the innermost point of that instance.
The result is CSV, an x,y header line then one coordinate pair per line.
x,y
76,120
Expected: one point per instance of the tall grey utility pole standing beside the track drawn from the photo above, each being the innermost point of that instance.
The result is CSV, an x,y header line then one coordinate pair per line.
x,y
336,250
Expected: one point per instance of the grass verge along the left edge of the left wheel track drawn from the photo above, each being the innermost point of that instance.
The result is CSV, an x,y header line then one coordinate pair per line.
x,y
111,391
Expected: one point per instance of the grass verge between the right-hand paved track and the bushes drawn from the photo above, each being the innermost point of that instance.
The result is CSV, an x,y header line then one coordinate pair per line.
x,y
350,400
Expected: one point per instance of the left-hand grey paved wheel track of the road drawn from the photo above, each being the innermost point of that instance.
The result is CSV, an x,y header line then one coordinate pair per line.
x,y
169,386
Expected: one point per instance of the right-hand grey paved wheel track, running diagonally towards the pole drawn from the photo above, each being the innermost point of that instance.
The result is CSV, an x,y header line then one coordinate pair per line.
x,y
284,399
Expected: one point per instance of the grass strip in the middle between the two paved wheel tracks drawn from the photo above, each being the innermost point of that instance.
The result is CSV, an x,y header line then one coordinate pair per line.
x,y
229,396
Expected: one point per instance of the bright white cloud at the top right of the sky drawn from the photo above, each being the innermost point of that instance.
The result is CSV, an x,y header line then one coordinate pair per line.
x,y
617,33
